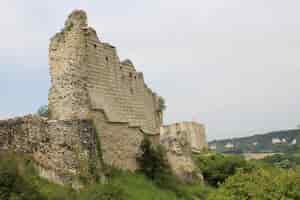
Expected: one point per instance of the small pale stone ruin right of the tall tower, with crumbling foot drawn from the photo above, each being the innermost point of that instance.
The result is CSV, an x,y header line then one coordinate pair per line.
x,y
180,140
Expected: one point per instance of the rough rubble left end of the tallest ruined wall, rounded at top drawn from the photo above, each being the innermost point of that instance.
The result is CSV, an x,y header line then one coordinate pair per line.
x,y
68,97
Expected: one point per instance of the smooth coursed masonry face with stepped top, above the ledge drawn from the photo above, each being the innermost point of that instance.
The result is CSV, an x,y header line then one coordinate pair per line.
x,y
118,88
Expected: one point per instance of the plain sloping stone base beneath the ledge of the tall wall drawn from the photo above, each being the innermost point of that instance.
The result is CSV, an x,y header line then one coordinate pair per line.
x,y
119,142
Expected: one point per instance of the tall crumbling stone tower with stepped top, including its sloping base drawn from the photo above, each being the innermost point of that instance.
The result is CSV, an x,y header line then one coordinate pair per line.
x,y
90,82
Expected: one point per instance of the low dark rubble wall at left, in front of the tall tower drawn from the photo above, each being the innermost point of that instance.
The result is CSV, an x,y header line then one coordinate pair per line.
x,y
62,150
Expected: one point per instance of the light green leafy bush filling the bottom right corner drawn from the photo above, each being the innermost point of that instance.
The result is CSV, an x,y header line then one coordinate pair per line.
x,y
263,184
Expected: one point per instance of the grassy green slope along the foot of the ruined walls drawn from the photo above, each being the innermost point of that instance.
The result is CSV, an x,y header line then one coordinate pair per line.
x,y
19,180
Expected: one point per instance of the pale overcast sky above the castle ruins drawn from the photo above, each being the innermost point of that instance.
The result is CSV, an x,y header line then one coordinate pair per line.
x,y
233,65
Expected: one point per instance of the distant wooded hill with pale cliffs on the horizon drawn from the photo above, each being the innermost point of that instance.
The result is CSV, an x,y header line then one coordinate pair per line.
x,y
277,141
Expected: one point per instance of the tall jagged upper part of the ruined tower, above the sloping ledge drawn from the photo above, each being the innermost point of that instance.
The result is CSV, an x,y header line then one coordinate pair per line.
x,y
87,75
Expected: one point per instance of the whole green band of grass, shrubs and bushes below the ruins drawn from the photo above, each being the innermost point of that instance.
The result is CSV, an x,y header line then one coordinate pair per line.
x,y
226,177
